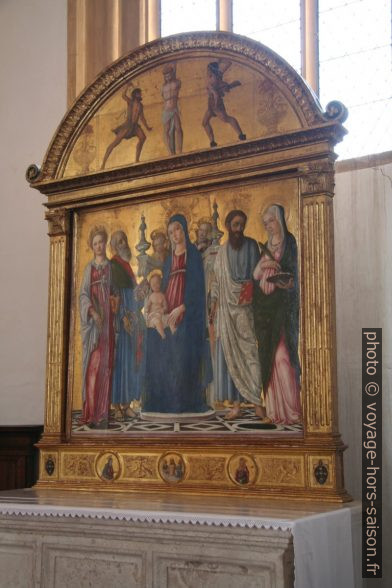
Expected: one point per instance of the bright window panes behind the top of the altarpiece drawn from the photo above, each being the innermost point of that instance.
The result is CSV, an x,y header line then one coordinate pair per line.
x,y
354,46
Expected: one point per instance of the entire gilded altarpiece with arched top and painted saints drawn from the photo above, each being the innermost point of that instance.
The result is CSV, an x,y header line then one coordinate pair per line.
x,y
191,329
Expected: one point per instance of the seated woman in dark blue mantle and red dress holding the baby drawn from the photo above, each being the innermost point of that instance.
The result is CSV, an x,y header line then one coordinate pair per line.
x,y
178,367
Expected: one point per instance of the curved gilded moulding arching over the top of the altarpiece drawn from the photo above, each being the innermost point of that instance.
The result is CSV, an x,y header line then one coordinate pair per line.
x,y
151,54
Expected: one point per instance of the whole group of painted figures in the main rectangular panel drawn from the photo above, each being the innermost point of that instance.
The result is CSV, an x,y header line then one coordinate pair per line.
x,y
209,317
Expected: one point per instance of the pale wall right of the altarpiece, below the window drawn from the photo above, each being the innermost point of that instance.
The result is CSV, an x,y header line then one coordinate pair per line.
x,y
363,245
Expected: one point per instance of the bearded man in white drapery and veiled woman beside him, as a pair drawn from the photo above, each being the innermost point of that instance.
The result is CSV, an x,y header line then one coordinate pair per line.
x,y
255,312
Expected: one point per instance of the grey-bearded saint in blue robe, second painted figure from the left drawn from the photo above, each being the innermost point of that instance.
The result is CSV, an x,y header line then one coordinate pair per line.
x,y
128,360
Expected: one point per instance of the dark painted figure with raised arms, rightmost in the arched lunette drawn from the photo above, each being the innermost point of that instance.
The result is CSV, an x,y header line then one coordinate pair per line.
x,y
216,89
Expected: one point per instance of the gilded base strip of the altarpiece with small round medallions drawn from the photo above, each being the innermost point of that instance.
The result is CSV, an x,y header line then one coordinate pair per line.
x,y
317,478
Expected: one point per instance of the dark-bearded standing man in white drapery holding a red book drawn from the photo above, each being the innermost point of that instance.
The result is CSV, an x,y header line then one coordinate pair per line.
x,y
237,367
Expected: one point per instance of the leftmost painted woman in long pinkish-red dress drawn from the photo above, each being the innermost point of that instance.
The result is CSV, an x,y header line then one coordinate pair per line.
x,y
98,304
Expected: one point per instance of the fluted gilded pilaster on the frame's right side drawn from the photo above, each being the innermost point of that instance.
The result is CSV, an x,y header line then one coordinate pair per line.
x,y
319,368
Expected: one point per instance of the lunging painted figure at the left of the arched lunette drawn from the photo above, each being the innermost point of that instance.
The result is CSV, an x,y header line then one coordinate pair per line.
x,y
131,127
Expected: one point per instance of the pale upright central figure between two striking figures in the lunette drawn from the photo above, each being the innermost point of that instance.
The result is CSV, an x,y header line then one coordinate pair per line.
x,y
172,129
